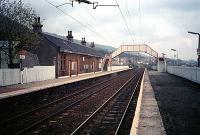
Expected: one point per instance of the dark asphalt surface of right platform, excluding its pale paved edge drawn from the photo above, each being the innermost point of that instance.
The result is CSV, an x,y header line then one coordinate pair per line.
x,y
179,103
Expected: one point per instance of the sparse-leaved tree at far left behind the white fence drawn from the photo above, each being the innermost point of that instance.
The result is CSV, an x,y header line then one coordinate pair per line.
x,y
16,19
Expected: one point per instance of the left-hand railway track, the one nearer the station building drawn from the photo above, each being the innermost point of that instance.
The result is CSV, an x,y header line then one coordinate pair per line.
x,y
31,119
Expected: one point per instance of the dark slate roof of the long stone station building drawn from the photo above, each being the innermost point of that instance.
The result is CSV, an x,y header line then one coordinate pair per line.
x,y
71,47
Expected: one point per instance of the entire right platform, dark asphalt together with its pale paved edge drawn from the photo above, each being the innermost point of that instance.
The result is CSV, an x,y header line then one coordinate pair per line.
x,y
167,104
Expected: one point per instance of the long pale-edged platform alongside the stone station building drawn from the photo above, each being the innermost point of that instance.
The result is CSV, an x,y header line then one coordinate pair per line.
x,y
19,89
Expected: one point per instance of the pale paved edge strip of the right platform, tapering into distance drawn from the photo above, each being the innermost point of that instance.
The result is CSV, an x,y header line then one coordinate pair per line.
x,y
147,119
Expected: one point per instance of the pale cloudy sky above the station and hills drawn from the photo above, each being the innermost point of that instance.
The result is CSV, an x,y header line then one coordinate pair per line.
x,y
161,24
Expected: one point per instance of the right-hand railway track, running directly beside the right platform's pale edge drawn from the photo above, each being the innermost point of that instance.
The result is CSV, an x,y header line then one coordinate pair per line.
x,y
116,114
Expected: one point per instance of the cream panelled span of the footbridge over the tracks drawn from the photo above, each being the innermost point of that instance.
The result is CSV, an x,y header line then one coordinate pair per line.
x,y
134,48
